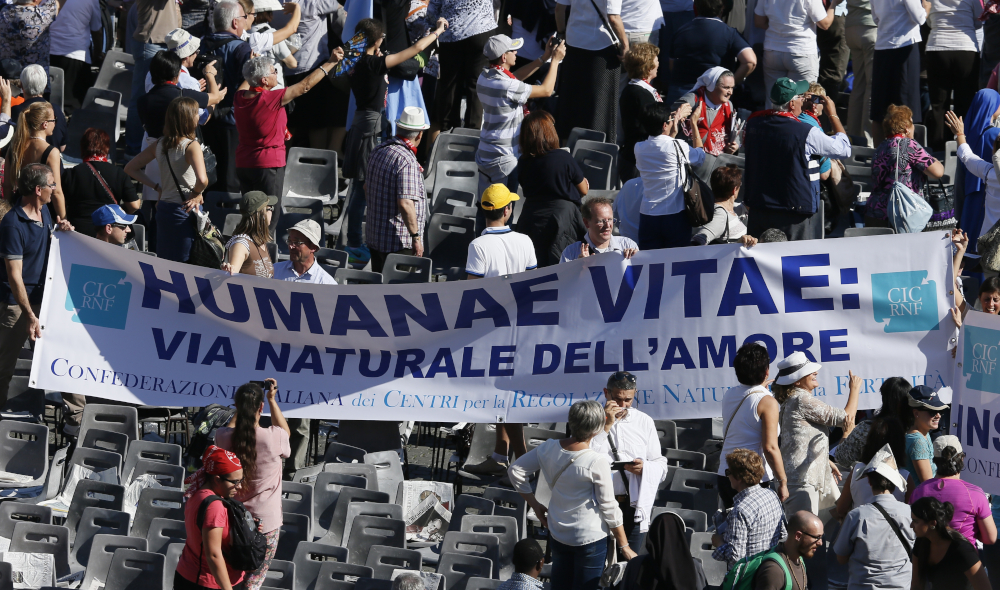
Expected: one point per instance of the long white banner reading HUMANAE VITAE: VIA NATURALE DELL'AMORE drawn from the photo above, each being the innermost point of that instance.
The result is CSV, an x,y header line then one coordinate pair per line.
x,y
522,348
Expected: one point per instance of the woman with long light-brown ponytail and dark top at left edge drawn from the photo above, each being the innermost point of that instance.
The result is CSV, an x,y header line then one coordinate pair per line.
x,y
30,146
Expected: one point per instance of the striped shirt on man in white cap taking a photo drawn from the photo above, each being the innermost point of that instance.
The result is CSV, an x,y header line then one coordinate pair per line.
x,y
503,99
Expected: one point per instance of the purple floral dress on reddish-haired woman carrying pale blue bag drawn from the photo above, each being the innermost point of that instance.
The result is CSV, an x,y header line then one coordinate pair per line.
x,y
913,159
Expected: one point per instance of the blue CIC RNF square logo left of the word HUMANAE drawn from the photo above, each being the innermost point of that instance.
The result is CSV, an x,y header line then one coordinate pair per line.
x,y
99,296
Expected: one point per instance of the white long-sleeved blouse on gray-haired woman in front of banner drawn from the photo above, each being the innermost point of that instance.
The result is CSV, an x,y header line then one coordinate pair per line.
x,y
583,508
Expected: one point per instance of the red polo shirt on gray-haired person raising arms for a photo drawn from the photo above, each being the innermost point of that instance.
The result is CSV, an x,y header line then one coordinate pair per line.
x,y
261,122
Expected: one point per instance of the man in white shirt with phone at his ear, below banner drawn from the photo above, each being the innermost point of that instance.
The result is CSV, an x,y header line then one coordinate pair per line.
x,y
632,446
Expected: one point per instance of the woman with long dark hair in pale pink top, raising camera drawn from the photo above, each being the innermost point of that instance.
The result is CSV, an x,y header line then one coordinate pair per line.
x,y
260,451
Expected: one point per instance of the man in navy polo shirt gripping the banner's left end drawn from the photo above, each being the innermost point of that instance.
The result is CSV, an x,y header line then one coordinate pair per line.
x,y
24,245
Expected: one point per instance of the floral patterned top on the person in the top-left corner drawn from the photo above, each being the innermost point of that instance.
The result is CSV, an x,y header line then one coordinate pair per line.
x,y
24,32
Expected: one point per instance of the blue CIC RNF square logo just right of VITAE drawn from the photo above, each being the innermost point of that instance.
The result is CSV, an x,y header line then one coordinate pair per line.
x,y
905,301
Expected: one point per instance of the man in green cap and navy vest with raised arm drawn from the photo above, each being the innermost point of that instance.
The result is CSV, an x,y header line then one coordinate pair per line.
x,y
781,182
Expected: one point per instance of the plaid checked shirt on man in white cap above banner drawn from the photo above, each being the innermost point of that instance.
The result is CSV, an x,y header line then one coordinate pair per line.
x,y
393,174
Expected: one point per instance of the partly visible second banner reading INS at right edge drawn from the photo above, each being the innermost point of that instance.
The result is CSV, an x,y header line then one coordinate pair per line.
x,y
976,403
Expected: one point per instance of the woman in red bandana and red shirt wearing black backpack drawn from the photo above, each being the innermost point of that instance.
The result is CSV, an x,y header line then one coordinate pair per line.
x,y
202,564
